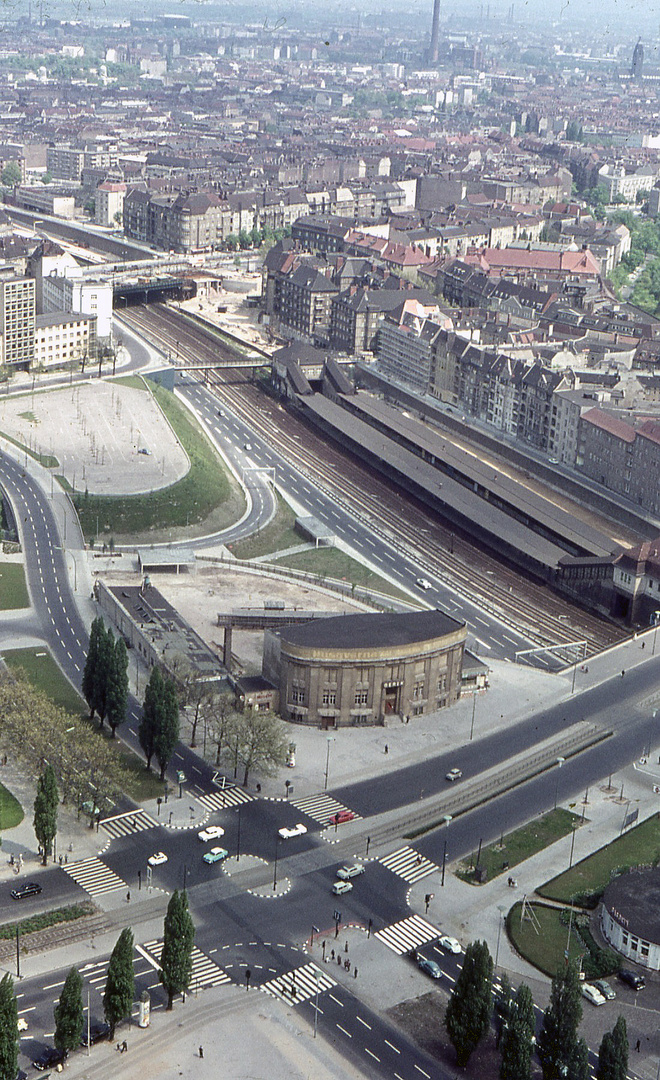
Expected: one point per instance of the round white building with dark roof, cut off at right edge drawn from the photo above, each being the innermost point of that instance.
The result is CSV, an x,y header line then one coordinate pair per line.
x,y
630,916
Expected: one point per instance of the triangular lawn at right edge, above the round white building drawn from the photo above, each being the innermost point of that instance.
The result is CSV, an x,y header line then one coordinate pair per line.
x,y
587,880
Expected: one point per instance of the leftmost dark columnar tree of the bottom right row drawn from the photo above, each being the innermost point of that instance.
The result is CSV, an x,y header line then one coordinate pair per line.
x,y
468,1015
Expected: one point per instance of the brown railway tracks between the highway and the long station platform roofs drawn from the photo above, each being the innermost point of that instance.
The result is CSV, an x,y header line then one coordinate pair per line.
x,y
548,619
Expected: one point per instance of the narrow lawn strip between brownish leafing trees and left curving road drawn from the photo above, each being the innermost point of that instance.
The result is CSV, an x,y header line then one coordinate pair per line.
x,y
45,676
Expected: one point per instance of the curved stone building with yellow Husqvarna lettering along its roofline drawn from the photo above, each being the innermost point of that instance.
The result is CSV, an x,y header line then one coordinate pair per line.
x,y
360,669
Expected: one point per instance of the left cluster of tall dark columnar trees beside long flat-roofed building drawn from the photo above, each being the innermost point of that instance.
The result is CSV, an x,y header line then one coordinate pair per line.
x,y
105,679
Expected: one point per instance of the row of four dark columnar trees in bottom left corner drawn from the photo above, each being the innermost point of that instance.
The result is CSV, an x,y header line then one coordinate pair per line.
x,y
176,975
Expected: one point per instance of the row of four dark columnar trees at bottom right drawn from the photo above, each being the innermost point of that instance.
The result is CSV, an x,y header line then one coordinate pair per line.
x,y
562,1052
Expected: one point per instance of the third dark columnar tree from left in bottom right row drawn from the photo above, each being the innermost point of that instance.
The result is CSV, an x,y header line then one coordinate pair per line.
x,y
559,1044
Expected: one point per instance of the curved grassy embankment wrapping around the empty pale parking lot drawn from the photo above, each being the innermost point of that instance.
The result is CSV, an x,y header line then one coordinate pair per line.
x,y
190,501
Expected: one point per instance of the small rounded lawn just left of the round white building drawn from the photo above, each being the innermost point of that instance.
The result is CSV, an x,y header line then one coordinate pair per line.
x,y
544,941
